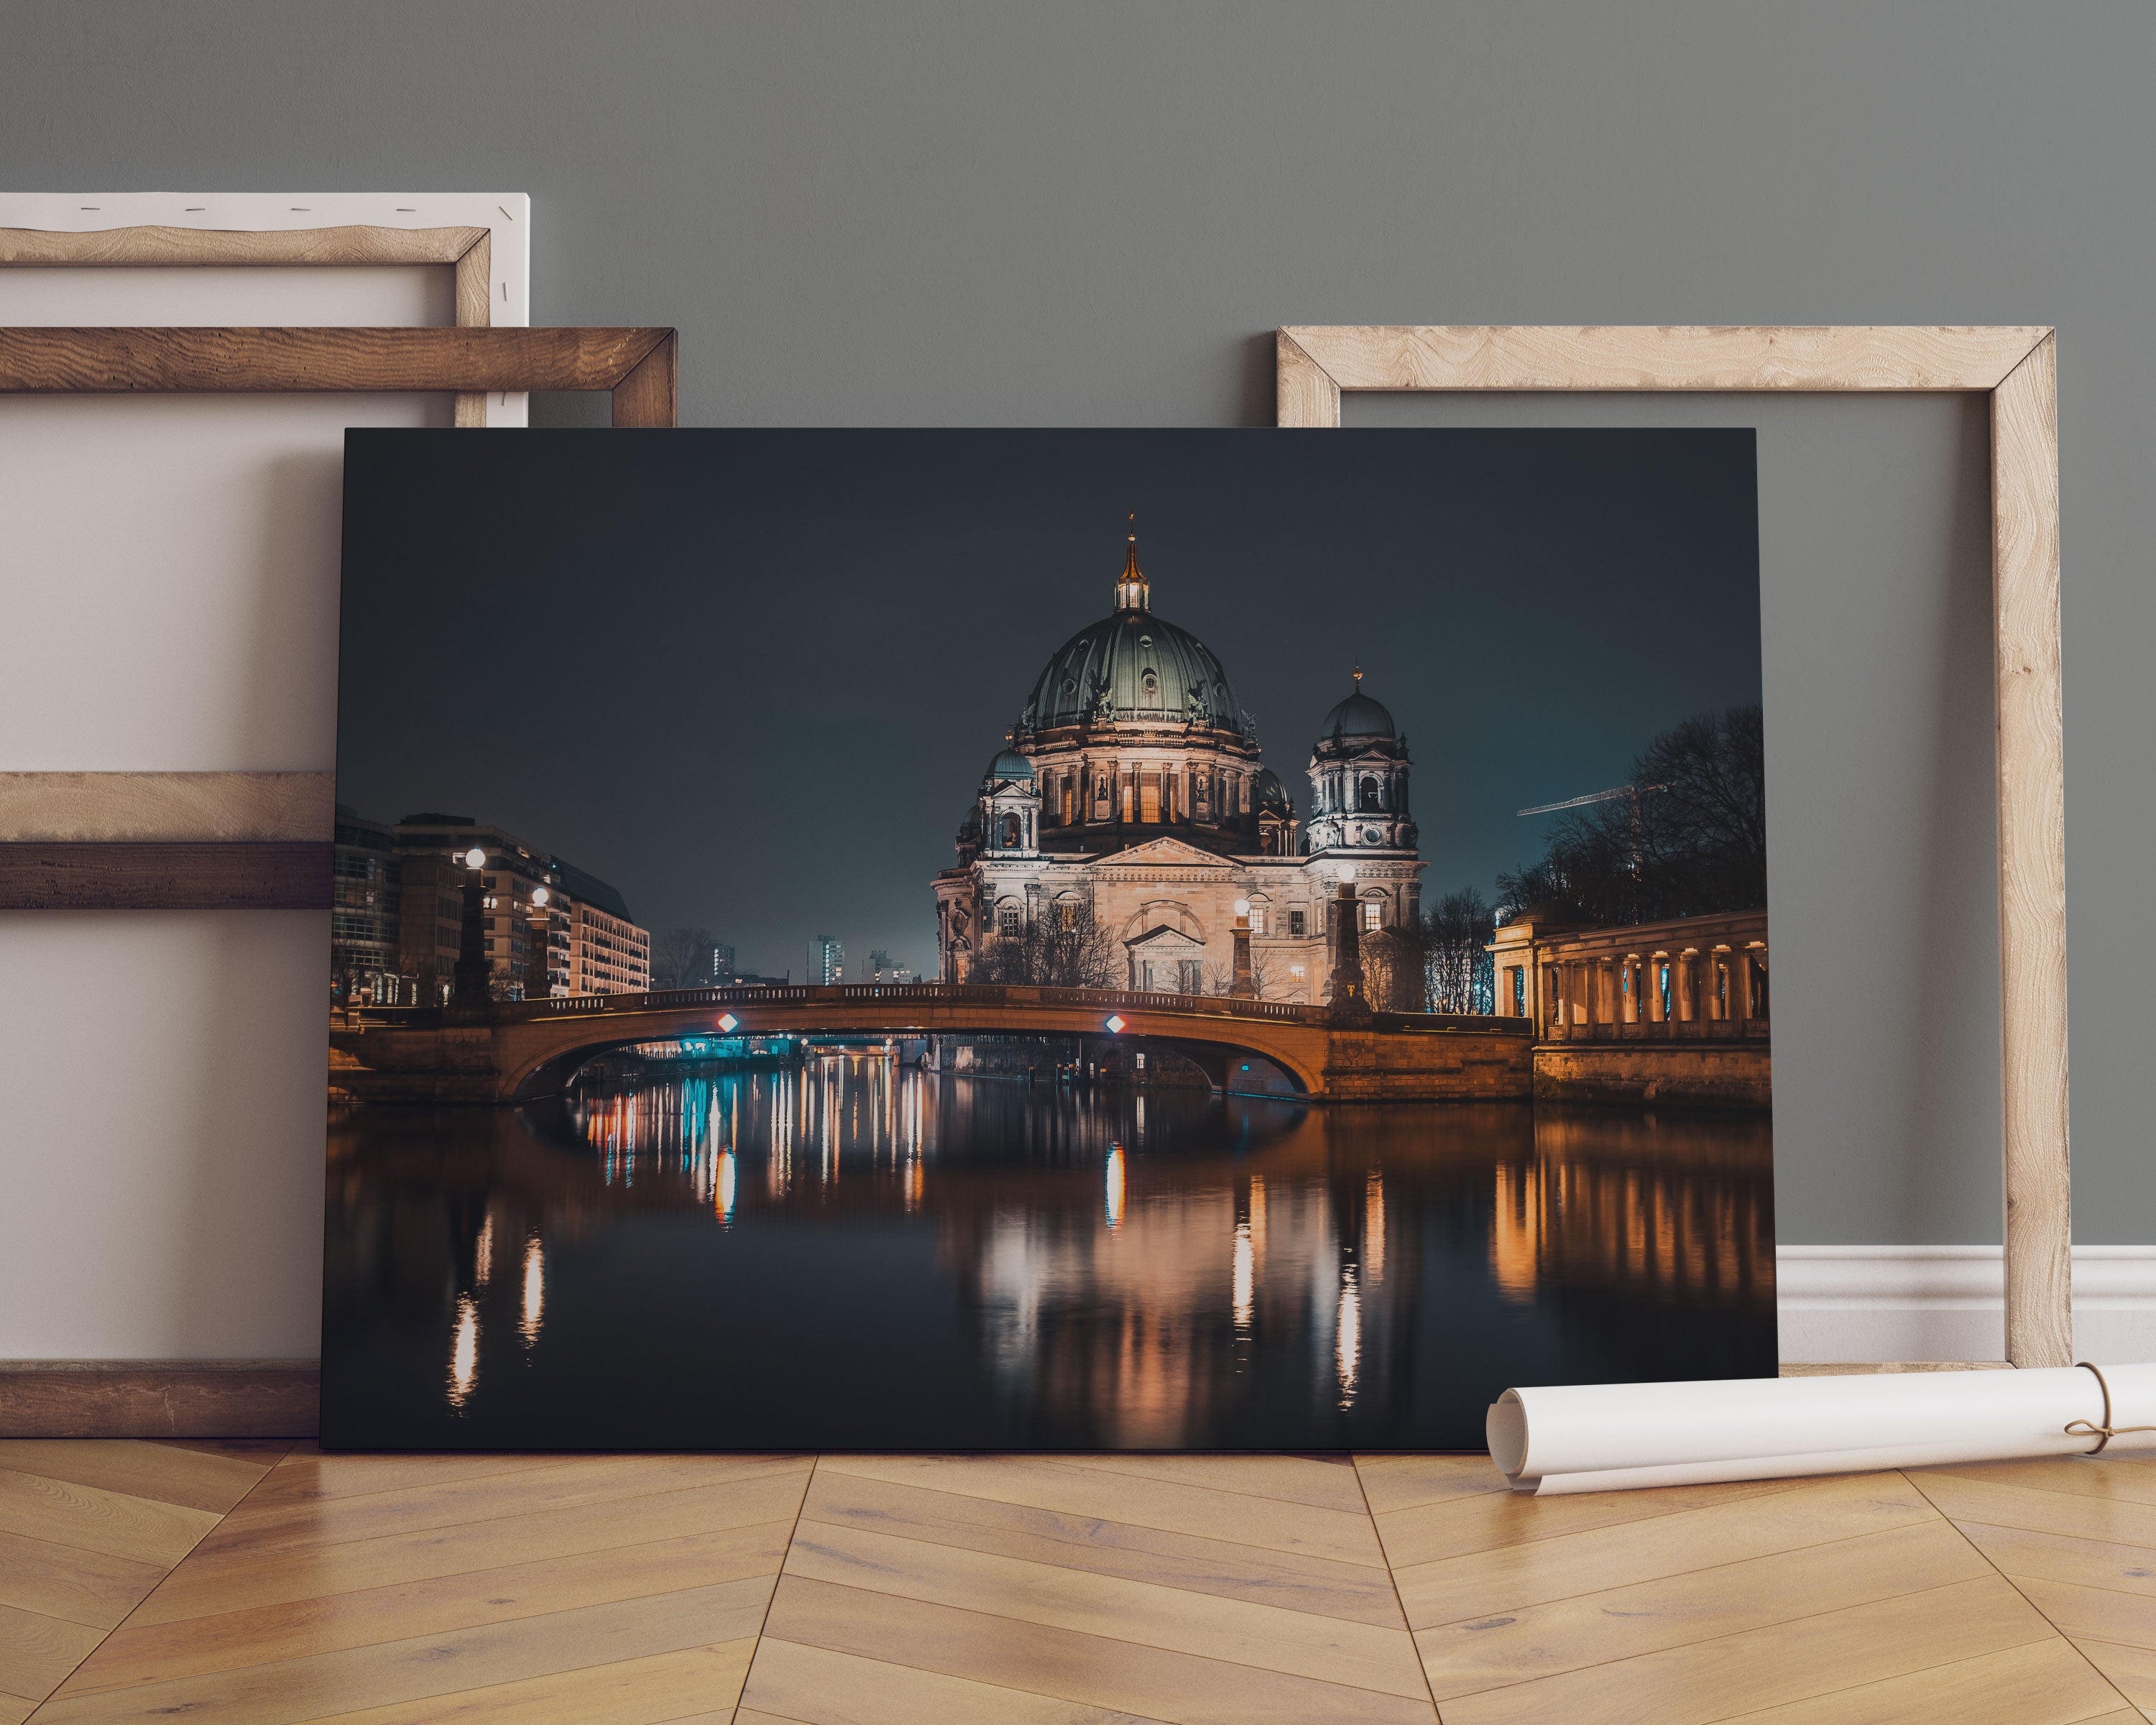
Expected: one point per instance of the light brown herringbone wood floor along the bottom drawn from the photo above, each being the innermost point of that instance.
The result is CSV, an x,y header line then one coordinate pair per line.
x,y
266,1584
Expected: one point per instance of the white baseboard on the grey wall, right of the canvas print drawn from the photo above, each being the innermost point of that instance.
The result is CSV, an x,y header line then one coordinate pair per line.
x,y
1948,1303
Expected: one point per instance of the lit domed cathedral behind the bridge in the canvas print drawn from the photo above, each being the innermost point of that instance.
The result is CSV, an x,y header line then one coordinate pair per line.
x,y
1131,812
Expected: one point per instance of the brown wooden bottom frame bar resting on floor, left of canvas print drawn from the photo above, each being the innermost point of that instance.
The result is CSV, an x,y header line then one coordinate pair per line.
x,y
158,1398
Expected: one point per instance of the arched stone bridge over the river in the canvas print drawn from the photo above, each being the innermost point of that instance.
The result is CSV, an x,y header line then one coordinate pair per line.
x,y
527,1049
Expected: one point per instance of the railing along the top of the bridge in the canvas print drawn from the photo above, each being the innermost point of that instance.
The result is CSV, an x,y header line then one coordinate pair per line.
x,y
978,995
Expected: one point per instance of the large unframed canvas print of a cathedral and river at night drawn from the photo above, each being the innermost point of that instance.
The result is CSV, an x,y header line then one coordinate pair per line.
x,y
1042,939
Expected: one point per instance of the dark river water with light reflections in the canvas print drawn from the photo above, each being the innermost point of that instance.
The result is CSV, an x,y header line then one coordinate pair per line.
x,y
859,1256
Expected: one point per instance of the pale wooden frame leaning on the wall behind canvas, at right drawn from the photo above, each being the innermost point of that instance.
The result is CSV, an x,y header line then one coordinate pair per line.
x,y
2017,370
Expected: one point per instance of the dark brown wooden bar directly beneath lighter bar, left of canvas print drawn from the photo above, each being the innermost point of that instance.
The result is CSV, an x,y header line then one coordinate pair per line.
x,y
128,877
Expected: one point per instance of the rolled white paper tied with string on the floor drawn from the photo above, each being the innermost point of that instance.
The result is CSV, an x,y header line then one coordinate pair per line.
x,y
1616,1437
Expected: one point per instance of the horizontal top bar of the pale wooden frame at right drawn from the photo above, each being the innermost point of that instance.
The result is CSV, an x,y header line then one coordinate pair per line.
x,y
1415,357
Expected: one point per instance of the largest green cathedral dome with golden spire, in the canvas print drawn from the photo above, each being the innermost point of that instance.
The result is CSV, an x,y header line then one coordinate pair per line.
x,y
1133,670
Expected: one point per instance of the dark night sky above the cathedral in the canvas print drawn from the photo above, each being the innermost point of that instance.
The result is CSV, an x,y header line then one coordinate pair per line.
x,y
754,678
